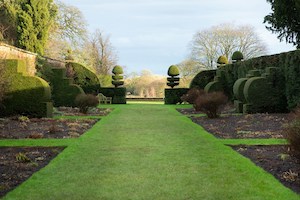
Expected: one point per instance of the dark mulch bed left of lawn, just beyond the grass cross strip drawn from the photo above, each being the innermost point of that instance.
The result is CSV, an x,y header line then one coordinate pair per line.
x,y
14,128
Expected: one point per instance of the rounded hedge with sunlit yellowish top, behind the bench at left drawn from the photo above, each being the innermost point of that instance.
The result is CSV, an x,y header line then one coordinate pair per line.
x,y
85,78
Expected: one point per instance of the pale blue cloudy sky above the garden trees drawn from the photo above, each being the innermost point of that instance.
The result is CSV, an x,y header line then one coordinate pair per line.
x,y
154,34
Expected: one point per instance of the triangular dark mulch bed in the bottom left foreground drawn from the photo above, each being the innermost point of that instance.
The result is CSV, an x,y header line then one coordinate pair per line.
x,y
14,172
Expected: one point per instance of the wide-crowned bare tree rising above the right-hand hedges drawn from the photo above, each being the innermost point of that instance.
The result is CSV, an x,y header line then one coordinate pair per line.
x,y
208,45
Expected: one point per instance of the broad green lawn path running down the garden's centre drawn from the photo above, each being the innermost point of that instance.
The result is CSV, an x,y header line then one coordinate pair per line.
x,y
150,152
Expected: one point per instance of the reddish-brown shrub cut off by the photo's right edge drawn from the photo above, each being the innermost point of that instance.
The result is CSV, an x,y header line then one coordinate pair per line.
x,y
292,132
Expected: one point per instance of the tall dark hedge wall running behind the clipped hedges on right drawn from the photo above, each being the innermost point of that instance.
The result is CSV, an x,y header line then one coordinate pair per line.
x,y
287,77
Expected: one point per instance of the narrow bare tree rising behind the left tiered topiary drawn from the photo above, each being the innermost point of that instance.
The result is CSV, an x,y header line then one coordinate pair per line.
x,y
101,53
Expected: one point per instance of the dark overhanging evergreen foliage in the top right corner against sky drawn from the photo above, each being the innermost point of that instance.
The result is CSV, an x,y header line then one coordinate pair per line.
x,y
284,20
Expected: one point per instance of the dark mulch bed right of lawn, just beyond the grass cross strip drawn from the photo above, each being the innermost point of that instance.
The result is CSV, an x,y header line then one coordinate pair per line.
x,y
244,126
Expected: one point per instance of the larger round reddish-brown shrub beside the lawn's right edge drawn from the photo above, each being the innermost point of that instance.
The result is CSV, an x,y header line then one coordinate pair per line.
x,y
210,103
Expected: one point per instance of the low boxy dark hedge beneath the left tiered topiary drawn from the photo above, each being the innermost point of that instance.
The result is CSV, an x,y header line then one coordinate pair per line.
x,y
118,94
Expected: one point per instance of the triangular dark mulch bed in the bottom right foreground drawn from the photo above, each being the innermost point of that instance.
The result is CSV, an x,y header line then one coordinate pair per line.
x,y
277,160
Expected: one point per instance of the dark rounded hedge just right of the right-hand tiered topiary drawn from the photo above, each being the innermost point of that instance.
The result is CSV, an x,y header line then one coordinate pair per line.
x,y
202,79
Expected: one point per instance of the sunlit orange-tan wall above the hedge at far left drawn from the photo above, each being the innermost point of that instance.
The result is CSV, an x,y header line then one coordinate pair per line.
x,y
11,52
